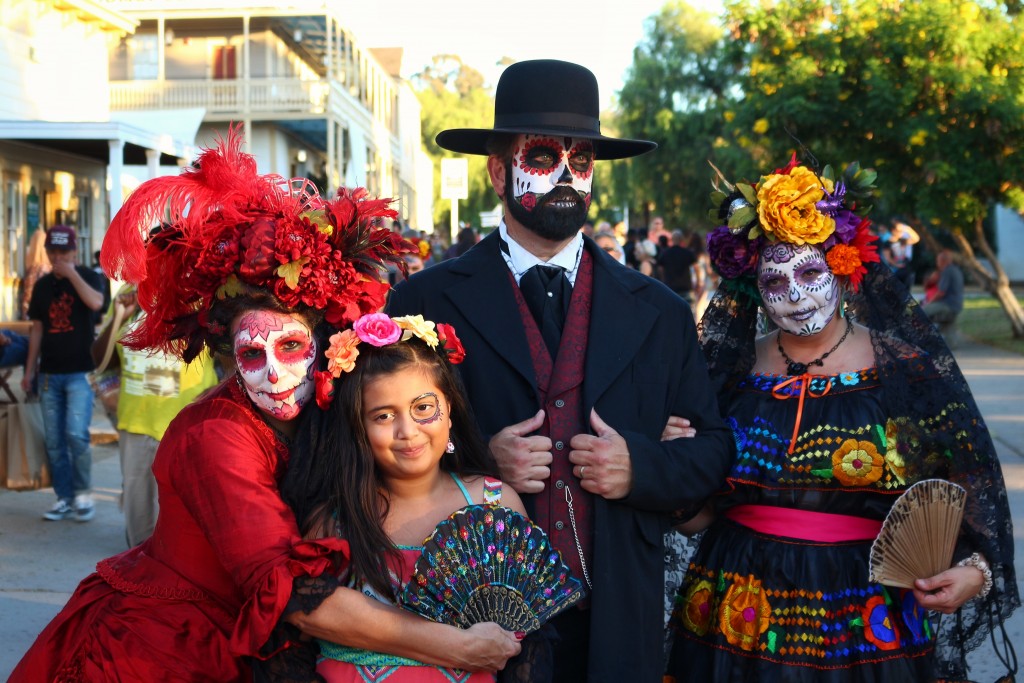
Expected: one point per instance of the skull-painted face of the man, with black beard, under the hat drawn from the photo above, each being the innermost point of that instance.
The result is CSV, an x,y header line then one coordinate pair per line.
x,y
550,183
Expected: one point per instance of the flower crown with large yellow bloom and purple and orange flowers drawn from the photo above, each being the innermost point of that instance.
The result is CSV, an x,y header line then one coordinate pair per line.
x,y
794,205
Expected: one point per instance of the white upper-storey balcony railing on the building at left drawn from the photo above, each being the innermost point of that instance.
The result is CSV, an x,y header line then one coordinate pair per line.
x,y
229,98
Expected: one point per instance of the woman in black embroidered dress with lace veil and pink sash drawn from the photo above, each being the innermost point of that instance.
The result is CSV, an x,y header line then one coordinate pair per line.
x,y
849,400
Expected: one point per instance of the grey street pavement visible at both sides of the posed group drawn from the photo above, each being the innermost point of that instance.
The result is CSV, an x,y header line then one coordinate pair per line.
x,y
41,563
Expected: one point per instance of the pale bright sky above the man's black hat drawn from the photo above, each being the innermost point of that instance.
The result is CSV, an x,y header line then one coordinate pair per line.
x,y
598,34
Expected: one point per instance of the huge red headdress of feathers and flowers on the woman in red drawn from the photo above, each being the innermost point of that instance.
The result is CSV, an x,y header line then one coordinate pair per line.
x,y
226,229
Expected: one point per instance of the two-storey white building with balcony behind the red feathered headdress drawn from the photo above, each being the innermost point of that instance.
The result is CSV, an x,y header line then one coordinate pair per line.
x,y
313,102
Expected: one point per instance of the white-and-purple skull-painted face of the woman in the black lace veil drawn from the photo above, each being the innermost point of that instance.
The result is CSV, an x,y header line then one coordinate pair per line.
x,y
799,291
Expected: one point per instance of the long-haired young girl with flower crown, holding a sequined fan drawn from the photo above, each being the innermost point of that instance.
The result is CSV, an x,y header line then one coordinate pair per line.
x,y
397,452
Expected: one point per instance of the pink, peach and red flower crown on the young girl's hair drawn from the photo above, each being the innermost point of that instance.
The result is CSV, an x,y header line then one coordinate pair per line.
x,y
381,330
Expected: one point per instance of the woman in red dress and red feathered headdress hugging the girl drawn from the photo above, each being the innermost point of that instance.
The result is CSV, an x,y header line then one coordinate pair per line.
x,y
257,268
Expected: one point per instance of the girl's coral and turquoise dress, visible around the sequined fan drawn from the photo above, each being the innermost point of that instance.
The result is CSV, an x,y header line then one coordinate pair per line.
x,y
347,665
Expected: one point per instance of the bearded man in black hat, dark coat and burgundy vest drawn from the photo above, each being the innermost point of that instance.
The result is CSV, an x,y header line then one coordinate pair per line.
x,y
574,365
